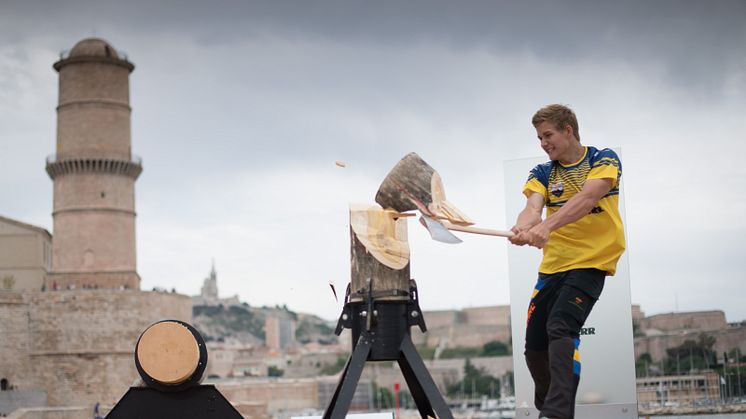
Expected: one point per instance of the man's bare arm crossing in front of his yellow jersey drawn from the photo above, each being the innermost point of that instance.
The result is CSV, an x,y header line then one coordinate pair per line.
x,y
574,209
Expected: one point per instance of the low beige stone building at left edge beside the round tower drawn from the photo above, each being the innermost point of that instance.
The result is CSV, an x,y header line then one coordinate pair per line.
x,y
25,256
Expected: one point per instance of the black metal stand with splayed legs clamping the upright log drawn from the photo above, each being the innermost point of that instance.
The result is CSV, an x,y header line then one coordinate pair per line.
x,y
380,332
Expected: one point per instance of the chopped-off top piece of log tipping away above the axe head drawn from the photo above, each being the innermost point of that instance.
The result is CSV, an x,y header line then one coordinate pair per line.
x,y
414,185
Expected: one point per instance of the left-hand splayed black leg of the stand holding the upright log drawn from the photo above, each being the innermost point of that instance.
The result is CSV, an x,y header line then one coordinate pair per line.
x,y
342,398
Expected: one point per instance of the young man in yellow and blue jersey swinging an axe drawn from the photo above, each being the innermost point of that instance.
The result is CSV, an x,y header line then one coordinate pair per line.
x,y
582,237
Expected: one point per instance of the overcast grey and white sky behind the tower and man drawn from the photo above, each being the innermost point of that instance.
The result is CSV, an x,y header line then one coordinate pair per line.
x,y
241,108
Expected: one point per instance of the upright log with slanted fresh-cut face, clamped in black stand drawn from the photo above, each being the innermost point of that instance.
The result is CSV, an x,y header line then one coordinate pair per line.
x,y
379,251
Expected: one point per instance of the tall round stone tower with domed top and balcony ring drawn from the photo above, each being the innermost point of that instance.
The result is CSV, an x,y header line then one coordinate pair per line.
x,y
94,171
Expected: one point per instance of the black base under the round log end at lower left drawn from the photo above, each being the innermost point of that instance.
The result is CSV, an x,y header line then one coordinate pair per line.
x,y
199,402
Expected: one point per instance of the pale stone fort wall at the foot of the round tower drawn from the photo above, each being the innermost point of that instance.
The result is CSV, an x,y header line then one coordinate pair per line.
x,y
78,345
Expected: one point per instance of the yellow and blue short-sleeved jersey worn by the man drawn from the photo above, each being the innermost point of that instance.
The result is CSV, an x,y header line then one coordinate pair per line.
x,y
595,240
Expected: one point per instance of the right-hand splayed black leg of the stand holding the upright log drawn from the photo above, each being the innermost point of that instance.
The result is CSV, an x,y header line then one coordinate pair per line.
x,y
420,382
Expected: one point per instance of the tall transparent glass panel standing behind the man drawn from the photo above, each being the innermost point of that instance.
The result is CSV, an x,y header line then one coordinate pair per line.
x,y
608,370
